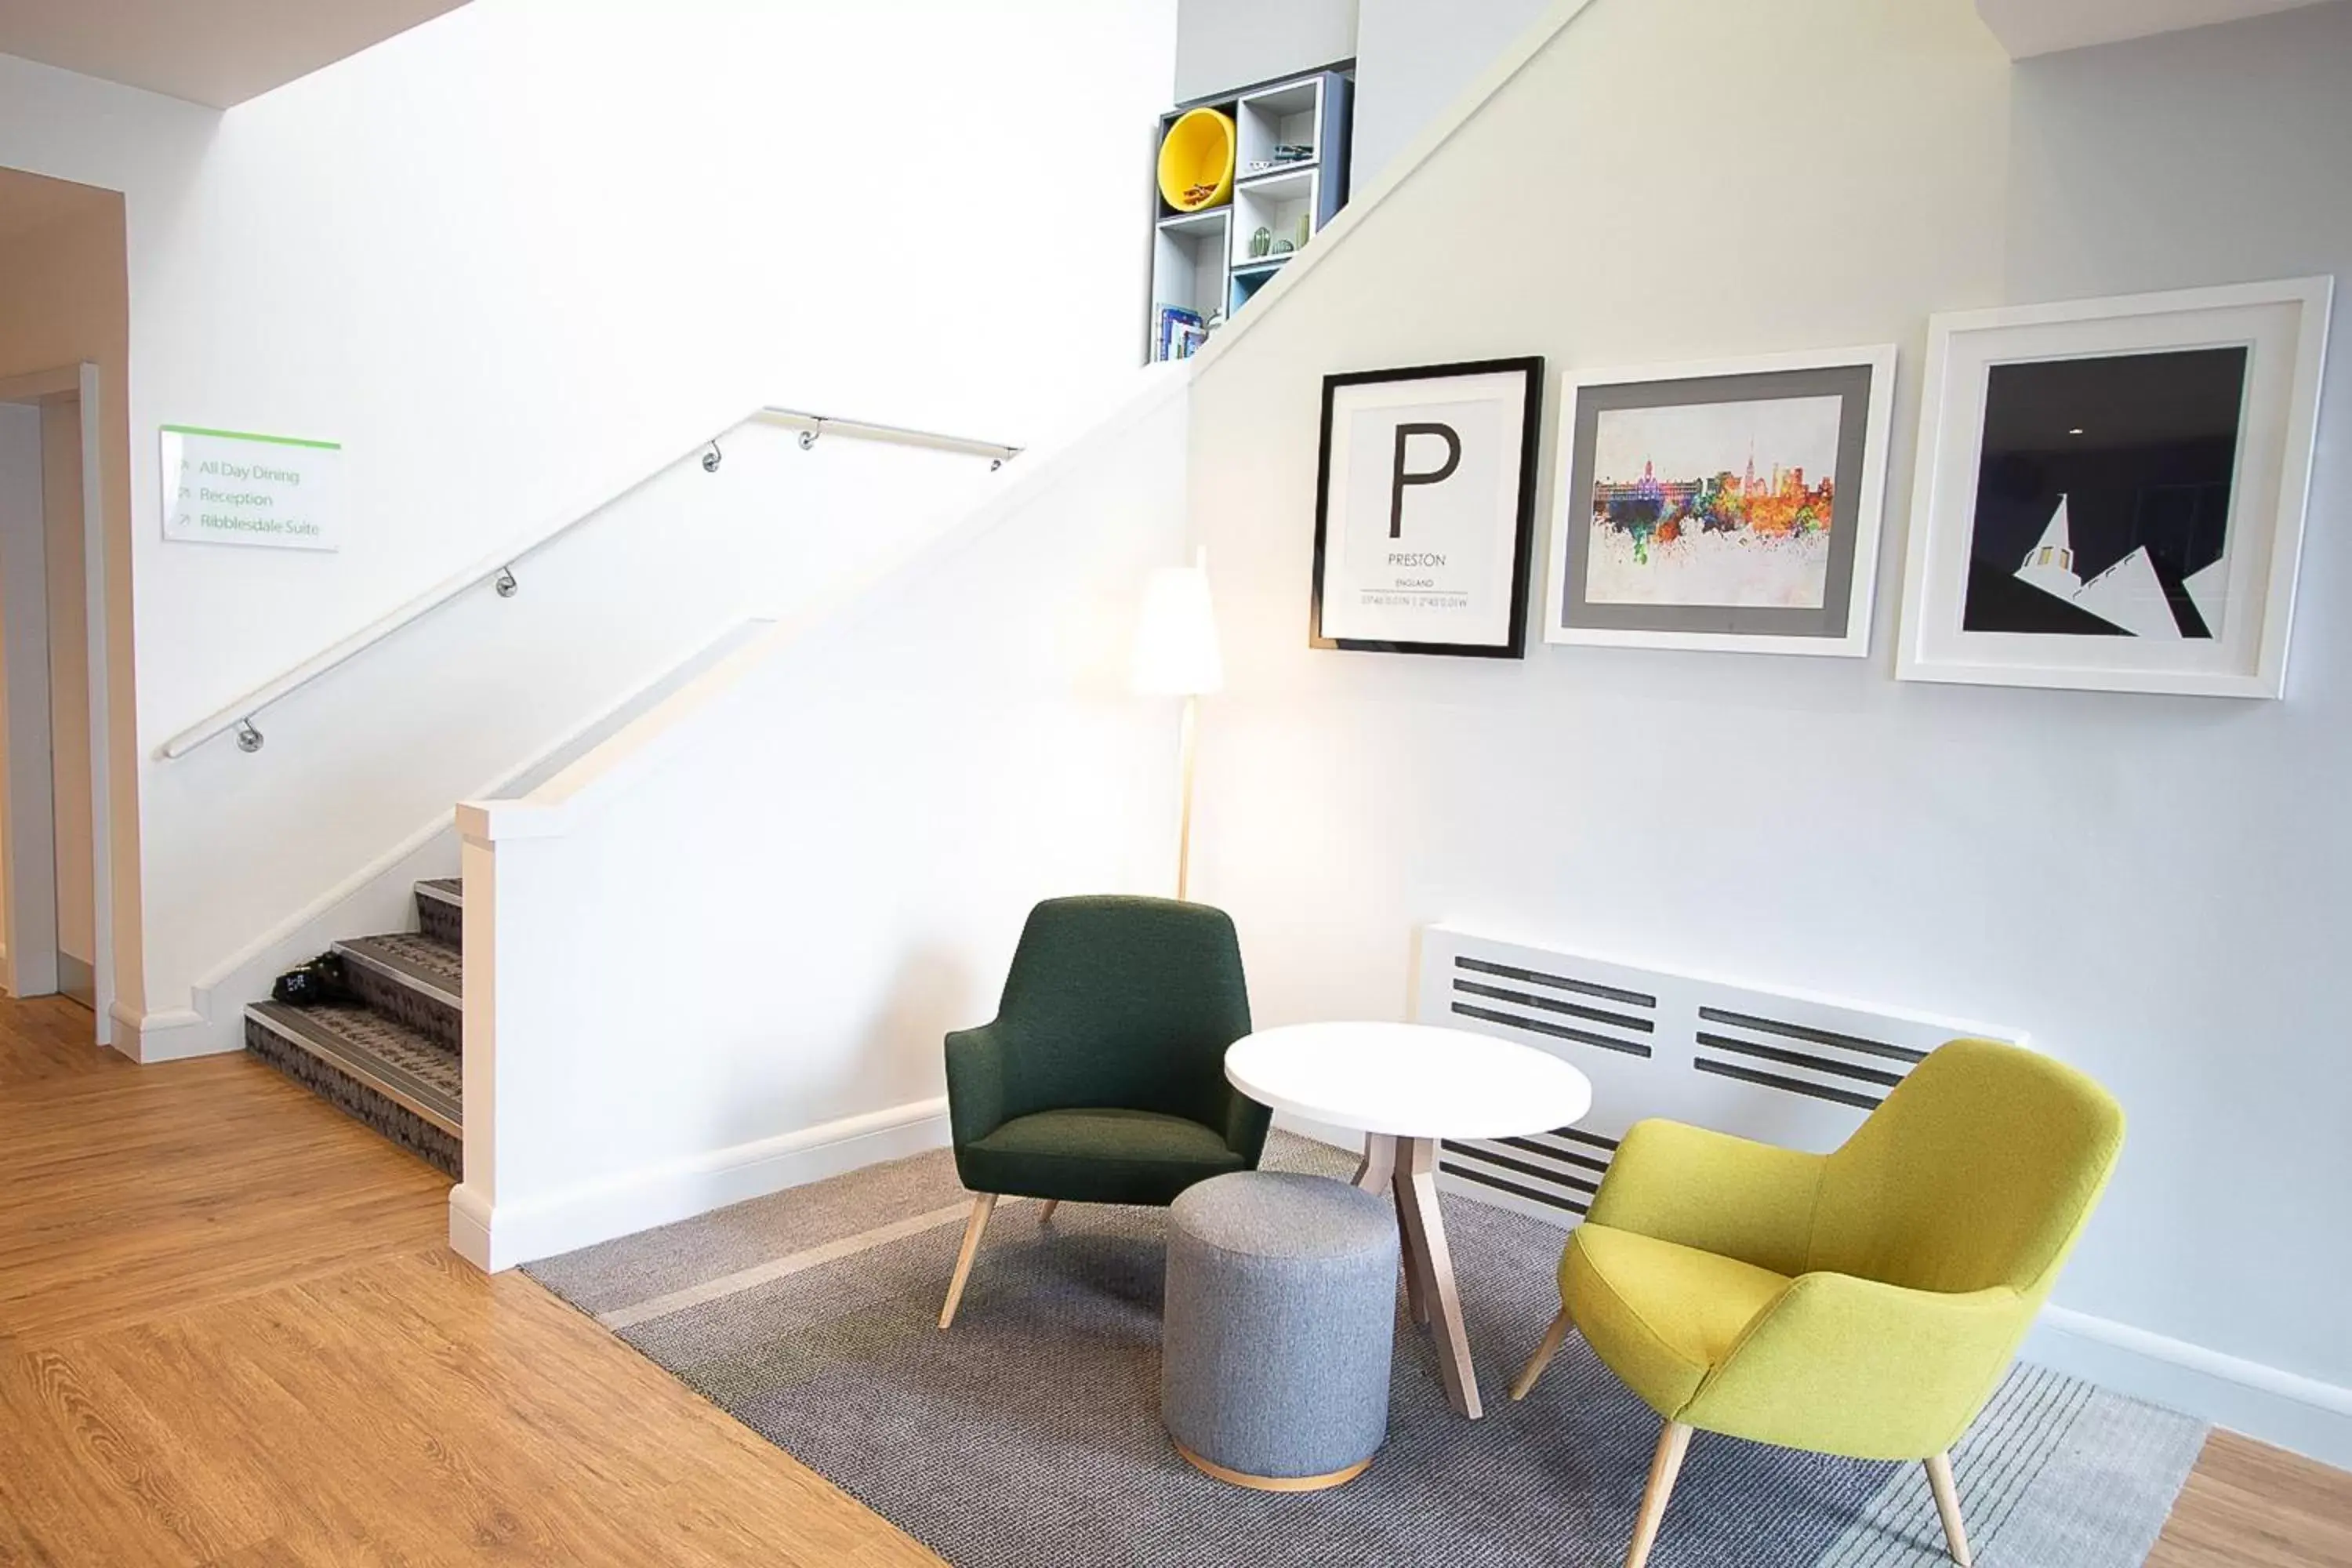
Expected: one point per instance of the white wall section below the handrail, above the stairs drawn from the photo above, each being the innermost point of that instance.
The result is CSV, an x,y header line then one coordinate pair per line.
x,y
469,688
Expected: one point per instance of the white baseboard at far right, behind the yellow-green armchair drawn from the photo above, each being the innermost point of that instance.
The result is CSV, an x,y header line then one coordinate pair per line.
x,y
2264,1402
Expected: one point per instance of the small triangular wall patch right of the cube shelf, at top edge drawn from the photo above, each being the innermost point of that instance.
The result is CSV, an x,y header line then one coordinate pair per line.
x,y
1415,62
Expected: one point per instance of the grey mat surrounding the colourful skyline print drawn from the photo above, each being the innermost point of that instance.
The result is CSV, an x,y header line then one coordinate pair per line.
x,y
1845,382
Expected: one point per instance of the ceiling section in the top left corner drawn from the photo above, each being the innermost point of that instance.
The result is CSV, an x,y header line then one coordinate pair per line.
x,y
213,53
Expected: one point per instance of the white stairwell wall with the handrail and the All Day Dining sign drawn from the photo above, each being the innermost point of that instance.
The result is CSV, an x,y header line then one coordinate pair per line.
x,y
516,260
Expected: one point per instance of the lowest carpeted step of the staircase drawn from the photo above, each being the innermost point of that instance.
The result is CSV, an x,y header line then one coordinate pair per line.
x,y
392,1078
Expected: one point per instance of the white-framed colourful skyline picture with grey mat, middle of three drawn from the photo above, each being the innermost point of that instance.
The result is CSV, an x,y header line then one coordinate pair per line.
x,y
1728,507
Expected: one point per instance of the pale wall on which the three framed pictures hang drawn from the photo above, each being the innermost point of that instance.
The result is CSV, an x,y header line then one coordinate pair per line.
x,y
2153,887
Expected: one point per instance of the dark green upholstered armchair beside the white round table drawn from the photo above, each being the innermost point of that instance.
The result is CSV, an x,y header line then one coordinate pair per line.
x,y
1102,1078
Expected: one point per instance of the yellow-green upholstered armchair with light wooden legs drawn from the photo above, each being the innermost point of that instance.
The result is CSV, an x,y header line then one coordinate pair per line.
x,y
1862,1304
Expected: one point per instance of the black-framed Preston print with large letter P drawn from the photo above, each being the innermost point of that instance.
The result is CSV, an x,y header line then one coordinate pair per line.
x,y
1426,509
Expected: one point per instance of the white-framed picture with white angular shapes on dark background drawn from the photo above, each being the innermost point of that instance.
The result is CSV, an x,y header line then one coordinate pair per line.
x,y
2111,492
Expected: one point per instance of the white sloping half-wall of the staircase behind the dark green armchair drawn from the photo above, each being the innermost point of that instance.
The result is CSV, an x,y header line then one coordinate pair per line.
x,y
721,953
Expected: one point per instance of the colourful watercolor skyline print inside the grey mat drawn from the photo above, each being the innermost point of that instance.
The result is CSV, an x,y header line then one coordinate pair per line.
x,y
1716,504
